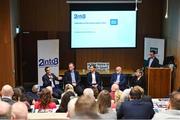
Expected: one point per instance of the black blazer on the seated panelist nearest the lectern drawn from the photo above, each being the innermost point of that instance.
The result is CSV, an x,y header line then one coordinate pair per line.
x,y
140,82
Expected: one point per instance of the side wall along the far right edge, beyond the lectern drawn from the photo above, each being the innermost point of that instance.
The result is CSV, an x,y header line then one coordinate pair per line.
x,y
172,35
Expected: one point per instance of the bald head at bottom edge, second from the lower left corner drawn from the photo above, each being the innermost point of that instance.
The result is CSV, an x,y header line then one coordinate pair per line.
x,y
19,111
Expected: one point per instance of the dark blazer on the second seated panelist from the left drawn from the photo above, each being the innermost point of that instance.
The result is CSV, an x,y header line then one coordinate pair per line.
x,y
68,80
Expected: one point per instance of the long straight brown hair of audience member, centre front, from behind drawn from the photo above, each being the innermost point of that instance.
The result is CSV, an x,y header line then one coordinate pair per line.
x,y
104,101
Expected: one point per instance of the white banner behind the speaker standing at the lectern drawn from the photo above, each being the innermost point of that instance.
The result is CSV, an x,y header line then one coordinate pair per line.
x,y
154,44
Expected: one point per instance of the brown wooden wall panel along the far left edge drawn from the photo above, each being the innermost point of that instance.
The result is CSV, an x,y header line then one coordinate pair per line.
x,y
6,60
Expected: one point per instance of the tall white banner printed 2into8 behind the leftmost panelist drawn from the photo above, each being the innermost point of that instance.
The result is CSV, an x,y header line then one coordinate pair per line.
x,y
48,56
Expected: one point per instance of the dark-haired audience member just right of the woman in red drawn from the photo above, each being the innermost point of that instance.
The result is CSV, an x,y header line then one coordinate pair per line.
x,y
65,100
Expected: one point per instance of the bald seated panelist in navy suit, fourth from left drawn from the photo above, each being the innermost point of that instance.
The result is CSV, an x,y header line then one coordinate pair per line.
x,y
119,78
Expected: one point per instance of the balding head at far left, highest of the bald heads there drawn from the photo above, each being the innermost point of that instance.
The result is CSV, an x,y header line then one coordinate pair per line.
x,y
7,91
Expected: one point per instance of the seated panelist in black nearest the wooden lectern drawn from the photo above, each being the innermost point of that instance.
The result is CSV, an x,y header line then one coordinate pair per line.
x,y
138,79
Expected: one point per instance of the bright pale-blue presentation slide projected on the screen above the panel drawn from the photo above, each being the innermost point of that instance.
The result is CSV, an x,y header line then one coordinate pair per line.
x,y
103,29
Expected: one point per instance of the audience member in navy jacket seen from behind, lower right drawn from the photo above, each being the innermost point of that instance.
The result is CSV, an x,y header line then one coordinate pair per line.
x,y
135,108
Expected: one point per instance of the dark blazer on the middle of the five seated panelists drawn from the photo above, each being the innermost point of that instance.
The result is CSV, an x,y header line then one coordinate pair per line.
x,y
98,80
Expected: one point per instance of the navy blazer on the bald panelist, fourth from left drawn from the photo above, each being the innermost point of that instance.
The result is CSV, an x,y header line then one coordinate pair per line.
x,y
122,83
